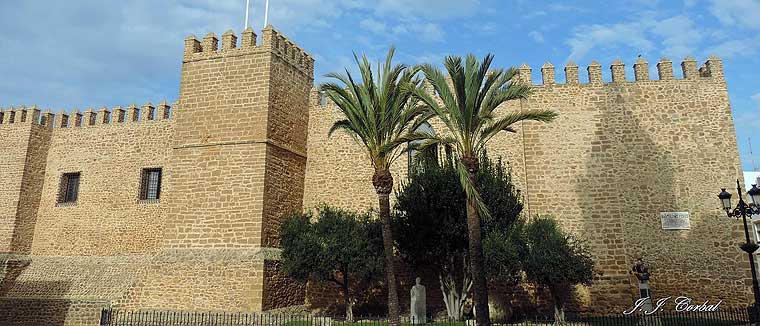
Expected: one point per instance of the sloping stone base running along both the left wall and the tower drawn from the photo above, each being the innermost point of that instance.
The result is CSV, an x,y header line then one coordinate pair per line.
x,y
42,290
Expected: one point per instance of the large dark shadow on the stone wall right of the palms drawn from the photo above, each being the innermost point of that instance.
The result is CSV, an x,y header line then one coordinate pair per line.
x,y
627,178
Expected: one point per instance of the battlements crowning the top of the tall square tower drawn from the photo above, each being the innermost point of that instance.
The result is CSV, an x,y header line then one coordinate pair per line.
x,y
272,41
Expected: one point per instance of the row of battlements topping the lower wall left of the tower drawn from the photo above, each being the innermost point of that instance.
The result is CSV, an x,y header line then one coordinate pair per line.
x,y
90,118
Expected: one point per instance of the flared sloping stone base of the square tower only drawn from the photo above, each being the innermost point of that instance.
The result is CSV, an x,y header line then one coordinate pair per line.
x,y
223,280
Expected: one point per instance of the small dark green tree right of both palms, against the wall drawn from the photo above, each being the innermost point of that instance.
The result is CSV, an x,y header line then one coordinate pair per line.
x,y
556,260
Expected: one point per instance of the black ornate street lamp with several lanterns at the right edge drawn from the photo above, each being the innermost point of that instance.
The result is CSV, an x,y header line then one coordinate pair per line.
x,y
743,210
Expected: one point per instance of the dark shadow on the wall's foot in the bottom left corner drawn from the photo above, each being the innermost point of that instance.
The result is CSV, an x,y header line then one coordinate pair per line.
x,y
16,310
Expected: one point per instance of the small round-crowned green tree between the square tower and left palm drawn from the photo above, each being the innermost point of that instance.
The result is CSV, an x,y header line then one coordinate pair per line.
x,y
336,246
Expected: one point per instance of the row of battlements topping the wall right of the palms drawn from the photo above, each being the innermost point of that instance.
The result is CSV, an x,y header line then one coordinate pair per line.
x,y
712,68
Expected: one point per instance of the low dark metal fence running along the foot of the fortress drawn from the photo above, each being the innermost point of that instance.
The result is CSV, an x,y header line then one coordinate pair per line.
x,y
112,317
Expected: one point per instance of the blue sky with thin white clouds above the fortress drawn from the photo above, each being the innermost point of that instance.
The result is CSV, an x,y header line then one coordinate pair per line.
x,y
94,53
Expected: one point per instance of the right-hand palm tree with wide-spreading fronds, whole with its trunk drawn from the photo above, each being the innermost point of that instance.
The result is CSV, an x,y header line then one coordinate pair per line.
x,y
466,107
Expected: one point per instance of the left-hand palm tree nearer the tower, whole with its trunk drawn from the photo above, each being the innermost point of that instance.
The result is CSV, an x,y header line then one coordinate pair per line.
x,y
378,114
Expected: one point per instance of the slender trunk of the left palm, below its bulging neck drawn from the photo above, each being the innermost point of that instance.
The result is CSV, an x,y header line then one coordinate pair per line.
x,y
385,212
